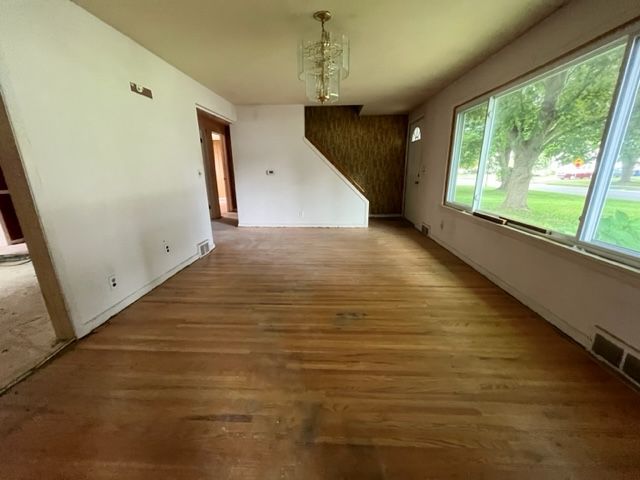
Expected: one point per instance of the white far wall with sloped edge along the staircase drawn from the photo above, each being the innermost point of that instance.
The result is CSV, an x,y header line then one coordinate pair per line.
x,y
305,190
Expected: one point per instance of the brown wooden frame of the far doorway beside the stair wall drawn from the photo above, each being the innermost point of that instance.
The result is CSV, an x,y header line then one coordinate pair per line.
x,y
208,124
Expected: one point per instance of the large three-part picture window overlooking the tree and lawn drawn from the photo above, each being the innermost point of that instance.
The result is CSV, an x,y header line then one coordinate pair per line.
x,y
559,153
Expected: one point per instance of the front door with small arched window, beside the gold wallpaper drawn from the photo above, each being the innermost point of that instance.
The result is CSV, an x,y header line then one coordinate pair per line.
x,y
414,174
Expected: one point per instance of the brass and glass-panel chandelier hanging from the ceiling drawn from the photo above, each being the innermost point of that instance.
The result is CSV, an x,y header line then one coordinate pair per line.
x,y
323,63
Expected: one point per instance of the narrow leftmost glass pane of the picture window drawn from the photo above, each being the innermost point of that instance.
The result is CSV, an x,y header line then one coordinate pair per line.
x,y
467,153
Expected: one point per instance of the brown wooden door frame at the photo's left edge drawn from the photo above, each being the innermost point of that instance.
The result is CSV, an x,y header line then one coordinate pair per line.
x,y
27,213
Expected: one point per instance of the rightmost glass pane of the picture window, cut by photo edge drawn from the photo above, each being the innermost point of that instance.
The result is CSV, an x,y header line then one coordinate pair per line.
x,y
619,223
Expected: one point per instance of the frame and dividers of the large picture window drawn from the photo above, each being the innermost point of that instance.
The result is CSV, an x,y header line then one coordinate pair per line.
x,y
584,239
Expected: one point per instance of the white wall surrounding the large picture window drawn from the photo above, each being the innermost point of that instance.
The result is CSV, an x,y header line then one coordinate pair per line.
x,y
572,290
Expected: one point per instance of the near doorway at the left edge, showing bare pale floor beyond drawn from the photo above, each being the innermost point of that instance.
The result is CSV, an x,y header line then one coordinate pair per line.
x,y
34,321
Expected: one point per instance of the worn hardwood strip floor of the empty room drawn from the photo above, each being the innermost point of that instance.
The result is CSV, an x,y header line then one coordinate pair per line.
x,y
323,354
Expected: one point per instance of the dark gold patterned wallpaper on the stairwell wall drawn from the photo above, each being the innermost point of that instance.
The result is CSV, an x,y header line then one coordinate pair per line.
x,y
368,149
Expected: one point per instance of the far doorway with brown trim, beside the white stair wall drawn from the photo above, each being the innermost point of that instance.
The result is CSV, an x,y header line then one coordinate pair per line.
x,y
215,139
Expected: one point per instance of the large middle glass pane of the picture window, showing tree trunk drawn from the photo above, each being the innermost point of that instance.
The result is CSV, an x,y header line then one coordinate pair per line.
x,y
545,140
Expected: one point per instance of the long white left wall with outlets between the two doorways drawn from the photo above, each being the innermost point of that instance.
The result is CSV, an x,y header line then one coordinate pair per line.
x,y
113,174
